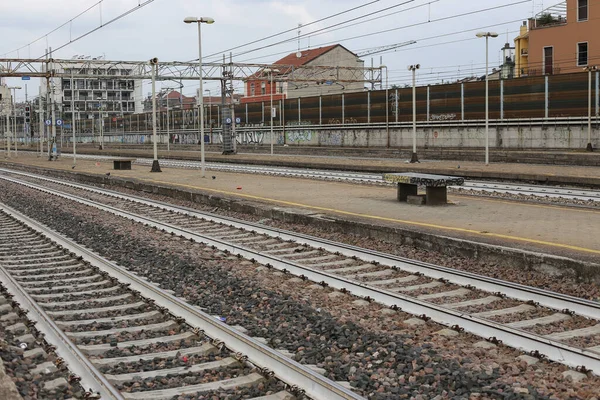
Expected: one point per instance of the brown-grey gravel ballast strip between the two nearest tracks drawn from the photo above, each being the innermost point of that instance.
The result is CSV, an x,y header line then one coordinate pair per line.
x,y
376,352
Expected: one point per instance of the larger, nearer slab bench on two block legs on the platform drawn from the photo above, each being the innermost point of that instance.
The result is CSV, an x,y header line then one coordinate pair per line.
x,y
436,186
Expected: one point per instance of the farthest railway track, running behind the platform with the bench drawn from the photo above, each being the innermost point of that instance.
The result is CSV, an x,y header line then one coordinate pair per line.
x,y
534,191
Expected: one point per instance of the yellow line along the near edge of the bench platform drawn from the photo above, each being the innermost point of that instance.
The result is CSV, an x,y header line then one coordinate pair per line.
x,y
421,224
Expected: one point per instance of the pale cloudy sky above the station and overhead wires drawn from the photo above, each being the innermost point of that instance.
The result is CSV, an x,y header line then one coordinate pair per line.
x,y
444,30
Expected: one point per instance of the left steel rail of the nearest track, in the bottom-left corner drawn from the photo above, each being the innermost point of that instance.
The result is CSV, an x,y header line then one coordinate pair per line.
x,y
76,361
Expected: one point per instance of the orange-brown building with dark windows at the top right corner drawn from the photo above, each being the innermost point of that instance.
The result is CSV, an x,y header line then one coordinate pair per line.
x,y
564,38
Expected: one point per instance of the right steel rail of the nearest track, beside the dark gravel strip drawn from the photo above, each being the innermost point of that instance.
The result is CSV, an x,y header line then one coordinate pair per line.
x,y
284,368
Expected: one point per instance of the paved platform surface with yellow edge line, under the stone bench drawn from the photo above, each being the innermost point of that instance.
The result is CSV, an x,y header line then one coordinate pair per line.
x,y
568,231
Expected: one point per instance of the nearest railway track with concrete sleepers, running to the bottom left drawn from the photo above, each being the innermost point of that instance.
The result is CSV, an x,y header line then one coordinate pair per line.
x,y
128,339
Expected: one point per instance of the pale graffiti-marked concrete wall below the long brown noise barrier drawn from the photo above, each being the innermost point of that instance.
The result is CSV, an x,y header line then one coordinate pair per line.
x,y
547,136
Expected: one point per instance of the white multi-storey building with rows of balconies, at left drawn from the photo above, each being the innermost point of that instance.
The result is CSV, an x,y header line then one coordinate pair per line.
x,y
112,97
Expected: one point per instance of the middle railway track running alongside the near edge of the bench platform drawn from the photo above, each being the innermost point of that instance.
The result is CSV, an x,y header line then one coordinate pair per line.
x,y
563,328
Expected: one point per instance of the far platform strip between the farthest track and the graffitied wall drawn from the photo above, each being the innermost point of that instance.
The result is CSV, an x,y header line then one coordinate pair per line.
x,y
541,173
